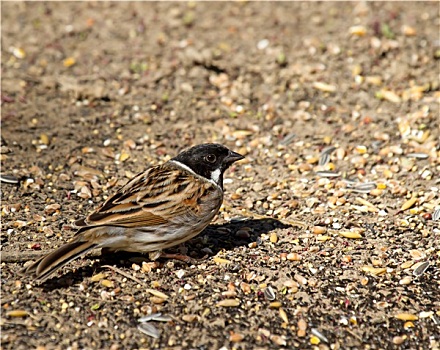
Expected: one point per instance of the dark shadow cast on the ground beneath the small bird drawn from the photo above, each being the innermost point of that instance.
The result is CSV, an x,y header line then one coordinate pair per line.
x,y
212,240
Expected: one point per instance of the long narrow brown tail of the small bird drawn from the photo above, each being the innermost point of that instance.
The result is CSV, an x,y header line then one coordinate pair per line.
x,y
43,268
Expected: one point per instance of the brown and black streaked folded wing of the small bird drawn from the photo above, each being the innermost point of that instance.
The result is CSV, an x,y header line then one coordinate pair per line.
x,y
156,196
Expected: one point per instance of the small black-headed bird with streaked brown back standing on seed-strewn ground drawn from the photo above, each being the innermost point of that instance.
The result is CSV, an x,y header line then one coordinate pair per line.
x,y
159,208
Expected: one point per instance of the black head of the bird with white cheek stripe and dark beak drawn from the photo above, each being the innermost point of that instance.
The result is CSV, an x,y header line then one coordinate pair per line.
x,y
209,160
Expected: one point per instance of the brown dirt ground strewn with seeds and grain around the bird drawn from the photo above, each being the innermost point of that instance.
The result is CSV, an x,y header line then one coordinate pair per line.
x,y
329,234
